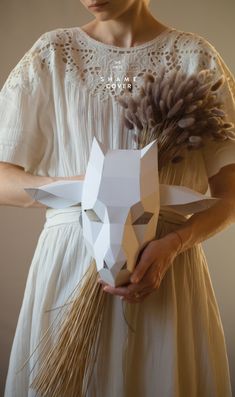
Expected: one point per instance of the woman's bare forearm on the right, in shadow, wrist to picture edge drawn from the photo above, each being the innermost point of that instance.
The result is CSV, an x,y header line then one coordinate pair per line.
x,y
205,224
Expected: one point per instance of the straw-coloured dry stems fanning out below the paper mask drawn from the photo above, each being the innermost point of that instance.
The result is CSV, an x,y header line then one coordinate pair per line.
x,y
67,366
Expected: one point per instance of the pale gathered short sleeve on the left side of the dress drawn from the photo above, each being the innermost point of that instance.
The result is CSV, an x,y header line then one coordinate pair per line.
x,y
23,104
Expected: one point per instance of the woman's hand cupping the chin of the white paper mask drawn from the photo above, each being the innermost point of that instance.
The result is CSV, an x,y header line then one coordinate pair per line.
x,y
154,262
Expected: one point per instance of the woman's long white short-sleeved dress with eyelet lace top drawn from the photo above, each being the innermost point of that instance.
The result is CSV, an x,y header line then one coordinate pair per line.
x,y
52,104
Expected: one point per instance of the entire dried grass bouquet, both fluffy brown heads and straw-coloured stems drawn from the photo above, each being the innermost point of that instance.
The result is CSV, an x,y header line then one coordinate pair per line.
x,y
181,112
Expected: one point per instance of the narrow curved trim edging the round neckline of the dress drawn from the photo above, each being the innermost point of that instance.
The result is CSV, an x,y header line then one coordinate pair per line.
x,y
133,48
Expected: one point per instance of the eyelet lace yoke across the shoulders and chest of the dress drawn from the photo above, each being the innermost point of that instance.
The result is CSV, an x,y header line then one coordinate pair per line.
x,y
82,60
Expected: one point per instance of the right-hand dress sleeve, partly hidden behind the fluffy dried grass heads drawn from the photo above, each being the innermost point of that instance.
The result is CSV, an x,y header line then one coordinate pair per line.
x,y
218,154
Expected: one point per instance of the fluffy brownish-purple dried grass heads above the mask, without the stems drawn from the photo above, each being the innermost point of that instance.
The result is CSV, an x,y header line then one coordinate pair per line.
x,y
181,111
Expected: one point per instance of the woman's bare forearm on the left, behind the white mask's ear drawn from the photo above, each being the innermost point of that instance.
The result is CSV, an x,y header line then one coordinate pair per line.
x,y
14,179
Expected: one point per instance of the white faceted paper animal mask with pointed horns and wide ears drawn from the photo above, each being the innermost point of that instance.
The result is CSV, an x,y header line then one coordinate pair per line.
x,y
120,198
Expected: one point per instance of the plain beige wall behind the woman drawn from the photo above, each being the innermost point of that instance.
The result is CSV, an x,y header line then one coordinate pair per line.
x,y
21,23
